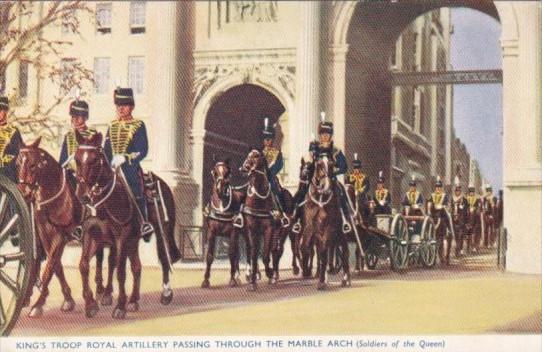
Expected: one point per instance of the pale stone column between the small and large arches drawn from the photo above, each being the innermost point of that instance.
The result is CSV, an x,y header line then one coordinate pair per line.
x,y
305,121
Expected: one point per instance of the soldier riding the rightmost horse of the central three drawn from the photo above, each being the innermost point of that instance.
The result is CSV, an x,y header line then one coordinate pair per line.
x,y
326,148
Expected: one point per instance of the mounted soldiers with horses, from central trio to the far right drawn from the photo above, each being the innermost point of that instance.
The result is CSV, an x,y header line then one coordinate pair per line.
x,y
324,213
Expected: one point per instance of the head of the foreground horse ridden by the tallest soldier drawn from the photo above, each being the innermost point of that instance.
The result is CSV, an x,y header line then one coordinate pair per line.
x,y
92,166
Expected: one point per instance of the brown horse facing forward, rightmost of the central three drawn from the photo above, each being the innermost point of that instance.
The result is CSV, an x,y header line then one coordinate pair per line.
x,y
322,222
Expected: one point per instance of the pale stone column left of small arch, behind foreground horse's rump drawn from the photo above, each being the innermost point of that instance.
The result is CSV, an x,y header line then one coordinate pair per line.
x,y
166,131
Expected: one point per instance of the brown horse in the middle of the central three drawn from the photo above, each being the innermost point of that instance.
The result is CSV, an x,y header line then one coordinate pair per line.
x,y
257,210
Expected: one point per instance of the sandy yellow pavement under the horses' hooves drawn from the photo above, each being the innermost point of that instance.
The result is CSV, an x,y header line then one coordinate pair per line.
x,y
471,296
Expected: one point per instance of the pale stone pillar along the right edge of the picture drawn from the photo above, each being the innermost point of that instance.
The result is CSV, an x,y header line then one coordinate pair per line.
x,y
522,120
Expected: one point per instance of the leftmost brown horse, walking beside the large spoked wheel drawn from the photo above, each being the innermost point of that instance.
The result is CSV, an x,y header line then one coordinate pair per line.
x,y
43,183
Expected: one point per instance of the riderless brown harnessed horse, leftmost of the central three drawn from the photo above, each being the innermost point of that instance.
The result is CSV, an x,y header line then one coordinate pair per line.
x,y
224,204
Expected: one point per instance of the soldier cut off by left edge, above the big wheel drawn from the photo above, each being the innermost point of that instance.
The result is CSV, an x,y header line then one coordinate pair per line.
x,y
10,142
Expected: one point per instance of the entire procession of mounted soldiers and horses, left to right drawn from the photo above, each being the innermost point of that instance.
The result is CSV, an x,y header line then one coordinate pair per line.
x,y
98,194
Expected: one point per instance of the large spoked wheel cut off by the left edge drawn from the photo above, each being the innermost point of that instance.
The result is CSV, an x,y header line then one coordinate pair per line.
x,y
17,251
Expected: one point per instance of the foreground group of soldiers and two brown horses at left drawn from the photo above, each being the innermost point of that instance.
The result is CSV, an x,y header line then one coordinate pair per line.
x,y
97,194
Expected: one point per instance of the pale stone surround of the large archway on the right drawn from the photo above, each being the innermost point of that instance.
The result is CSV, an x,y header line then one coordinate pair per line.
x,y
522,72
